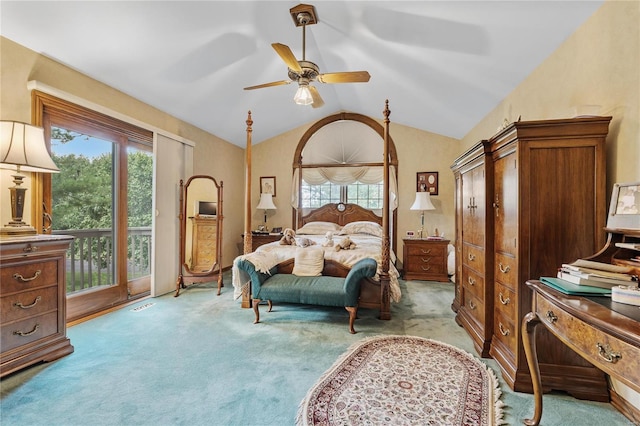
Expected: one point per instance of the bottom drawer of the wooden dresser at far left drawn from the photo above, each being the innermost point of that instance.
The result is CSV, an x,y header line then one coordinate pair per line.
x,y
19,333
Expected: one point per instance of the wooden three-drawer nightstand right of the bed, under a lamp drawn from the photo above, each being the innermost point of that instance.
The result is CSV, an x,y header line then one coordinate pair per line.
x,y
425,259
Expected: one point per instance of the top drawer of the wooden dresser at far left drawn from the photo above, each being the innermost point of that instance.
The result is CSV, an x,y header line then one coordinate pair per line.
x,y
26,276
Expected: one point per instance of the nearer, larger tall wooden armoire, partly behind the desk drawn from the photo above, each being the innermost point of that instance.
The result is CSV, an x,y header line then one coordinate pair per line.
x,y
549,208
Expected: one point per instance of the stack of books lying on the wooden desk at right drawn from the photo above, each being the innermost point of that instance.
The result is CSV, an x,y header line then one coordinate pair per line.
x,y
596,274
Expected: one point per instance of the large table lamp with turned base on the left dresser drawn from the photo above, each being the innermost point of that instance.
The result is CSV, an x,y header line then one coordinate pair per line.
x,y
23,149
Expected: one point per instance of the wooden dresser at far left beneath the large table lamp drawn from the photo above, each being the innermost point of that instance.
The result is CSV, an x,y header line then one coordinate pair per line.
x,y
33,297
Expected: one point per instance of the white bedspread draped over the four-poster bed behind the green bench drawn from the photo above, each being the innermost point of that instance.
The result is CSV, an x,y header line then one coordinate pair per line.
x,y
271,254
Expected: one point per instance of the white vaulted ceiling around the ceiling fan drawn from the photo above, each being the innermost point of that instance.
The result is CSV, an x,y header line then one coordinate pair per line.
x,y
443,65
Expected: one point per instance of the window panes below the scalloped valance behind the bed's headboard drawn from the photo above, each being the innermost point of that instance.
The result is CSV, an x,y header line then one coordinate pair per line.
x,y
368,196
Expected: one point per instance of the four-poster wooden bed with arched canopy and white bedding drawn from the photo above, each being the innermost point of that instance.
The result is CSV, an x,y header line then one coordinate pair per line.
x,y
370,231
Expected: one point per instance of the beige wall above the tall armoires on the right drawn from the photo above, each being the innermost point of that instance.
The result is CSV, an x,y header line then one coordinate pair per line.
x,y
599,64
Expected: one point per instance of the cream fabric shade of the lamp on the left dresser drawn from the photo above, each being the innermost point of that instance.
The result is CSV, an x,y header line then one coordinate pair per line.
x,y
23,145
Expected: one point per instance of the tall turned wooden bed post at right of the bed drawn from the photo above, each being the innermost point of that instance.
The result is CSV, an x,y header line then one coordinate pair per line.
x,y
385,297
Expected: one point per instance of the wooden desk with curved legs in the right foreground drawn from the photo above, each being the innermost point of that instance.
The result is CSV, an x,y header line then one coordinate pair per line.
x,y
606,338
